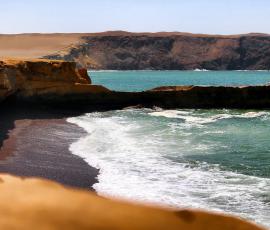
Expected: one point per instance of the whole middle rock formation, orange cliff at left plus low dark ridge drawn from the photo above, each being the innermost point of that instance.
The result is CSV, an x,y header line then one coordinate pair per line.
x,y
60,83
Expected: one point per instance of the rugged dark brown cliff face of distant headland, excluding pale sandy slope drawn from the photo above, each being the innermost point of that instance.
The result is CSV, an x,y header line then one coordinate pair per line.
x,y
169,51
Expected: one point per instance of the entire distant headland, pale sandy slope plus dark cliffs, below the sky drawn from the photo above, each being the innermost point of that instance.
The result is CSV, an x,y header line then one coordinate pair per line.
x,y
162,51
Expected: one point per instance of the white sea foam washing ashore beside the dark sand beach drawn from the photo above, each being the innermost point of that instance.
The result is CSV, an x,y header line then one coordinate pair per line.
x,y
134,152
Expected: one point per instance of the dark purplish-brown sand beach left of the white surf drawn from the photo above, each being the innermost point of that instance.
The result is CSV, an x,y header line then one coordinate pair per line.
x,y
35,143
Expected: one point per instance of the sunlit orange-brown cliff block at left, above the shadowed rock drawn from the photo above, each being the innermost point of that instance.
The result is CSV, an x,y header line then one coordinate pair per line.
x,y
43,77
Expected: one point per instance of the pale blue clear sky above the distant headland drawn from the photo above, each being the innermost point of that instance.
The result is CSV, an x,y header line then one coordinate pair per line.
x,y
195,16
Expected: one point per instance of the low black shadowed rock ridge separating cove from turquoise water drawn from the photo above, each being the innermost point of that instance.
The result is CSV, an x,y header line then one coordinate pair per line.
x,y
194,97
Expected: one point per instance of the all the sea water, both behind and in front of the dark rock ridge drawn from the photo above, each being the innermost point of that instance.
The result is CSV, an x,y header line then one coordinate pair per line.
x,y
217,160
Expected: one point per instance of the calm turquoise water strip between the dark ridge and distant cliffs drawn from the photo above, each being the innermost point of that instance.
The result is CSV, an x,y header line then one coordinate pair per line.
x,y
144,80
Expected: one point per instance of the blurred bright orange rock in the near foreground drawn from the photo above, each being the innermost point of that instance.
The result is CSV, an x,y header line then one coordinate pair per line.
x,y
39,204
